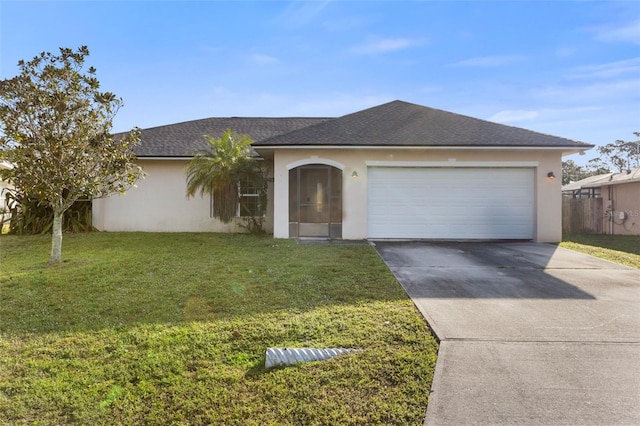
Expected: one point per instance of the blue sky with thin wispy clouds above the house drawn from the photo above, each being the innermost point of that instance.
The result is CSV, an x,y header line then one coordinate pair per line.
x,y
567,68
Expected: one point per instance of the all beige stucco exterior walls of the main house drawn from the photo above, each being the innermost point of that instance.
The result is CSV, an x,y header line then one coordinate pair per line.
x,y
159,203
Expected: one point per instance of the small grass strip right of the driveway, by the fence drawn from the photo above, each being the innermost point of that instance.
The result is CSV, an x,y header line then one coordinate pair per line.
x,y
623,249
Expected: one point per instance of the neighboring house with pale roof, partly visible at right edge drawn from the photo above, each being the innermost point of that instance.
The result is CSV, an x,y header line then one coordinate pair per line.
x,y
620,193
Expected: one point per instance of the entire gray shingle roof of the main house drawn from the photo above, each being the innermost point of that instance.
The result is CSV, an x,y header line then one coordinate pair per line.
x,y
395,123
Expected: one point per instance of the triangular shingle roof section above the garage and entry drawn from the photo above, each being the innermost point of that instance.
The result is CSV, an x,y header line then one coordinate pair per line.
x,y
400,123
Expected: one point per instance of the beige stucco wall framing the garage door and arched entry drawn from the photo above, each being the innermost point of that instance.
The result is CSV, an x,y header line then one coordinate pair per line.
x,y
548,226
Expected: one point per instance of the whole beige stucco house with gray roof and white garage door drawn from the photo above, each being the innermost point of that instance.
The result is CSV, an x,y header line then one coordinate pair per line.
x,y
395,171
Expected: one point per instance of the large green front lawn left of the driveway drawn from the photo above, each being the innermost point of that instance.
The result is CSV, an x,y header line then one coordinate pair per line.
x,y
172,329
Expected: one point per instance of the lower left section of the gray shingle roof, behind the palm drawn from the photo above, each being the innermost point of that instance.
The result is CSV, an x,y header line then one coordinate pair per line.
x,y
185,139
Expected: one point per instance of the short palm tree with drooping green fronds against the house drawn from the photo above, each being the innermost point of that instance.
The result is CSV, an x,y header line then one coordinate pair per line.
x,y
220,170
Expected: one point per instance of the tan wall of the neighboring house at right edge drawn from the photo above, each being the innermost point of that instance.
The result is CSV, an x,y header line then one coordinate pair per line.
x,y
622,198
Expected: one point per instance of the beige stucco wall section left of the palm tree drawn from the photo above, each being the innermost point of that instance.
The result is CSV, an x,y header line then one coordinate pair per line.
x,y
158,203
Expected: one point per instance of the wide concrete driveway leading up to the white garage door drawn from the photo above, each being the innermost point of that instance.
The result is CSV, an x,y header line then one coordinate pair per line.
x,y
530,333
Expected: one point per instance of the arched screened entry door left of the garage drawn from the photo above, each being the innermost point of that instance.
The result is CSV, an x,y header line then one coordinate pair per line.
x,y
315,202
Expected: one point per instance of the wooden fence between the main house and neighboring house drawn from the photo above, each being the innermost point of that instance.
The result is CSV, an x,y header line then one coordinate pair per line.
x,y
582,215
